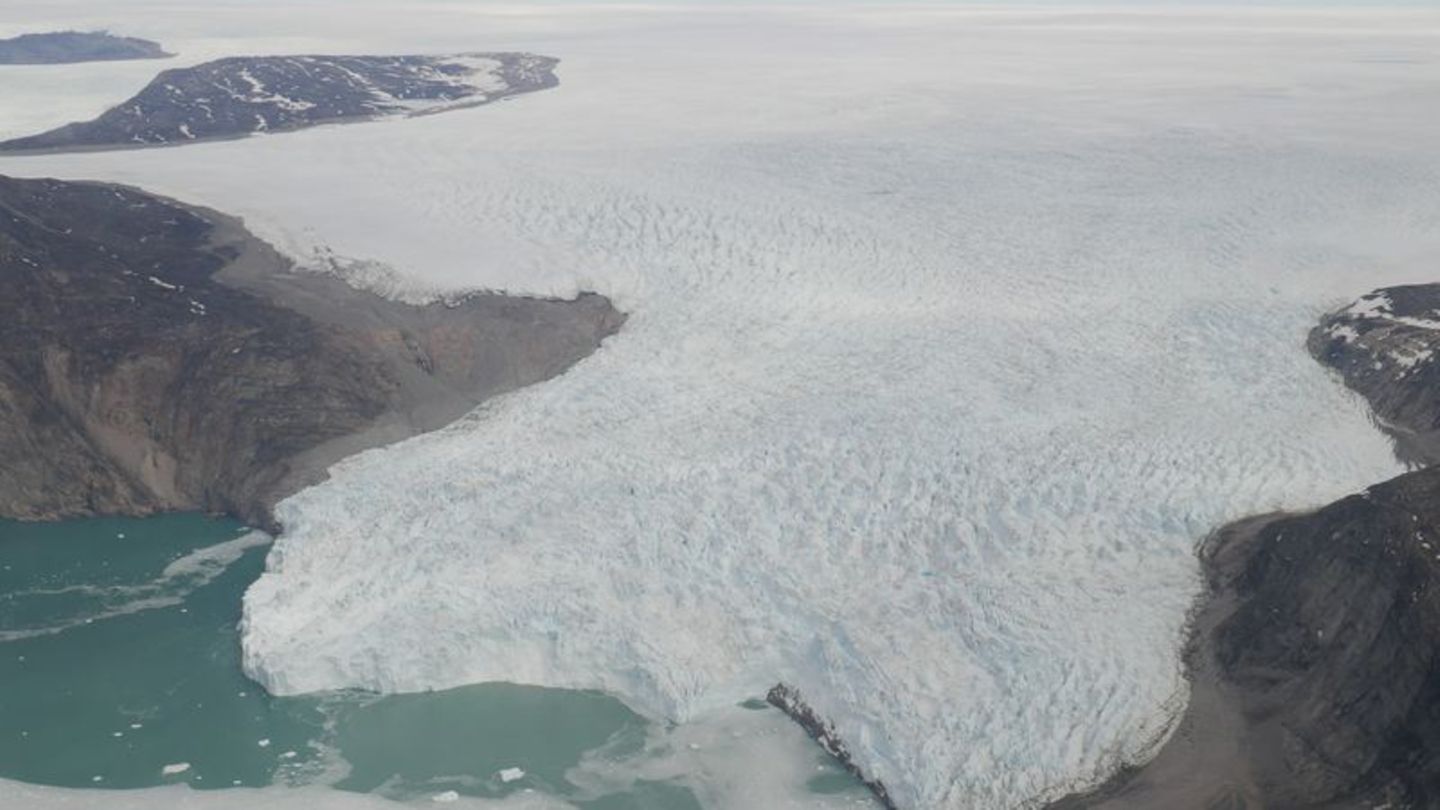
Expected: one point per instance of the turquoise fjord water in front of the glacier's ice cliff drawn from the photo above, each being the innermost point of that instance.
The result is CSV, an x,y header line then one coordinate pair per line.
x,y
120,669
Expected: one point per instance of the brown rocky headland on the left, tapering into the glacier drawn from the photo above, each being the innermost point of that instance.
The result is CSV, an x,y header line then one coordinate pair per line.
x,y
161,358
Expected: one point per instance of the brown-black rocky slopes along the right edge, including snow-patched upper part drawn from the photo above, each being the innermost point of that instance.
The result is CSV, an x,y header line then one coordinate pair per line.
x,y
1315,661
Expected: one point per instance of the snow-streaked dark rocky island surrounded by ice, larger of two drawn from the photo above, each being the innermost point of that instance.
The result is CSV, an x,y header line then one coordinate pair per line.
x,y
246,96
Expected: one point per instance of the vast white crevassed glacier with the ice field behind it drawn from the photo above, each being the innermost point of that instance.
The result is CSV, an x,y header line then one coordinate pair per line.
x,y
953,332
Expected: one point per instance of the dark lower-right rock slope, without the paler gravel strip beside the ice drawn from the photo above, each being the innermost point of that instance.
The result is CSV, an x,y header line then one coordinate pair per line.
x,y
1334,649
